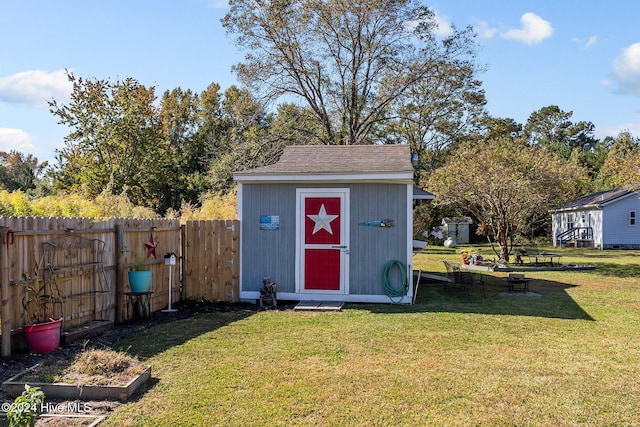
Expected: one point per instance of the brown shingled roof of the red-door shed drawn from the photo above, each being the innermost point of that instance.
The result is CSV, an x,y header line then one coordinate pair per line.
x,y
335,162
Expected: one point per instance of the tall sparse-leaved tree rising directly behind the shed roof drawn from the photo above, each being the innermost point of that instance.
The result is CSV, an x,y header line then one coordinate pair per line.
x,y
349,61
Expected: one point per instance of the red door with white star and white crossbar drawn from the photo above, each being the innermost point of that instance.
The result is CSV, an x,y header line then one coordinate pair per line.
x,y
324,245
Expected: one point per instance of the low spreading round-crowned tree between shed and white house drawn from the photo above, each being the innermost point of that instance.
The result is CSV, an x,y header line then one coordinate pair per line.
x,y
505,184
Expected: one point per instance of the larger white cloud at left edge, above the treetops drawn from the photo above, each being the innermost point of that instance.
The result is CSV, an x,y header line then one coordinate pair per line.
x,y
35,87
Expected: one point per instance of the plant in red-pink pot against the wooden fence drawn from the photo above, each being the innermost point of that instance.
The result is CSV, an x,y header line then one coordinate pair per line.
x,y
42,331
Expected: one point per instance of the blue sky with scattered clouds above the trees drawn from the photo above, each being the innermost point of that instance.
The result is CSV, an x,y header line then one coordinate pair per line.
x,y
581,55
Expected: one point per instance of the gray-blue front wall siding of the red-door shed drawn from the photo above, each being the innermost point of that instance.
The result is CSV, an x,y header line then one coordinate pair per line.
x,y
272,252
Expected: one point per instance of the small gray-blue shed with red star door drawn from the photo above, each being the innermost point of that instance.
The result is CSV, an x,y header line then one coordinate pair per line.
x,y
329,223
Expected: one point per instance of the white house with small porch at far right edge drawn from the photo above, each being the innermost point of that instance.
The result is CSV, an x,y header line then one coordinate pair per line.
x,y
606,220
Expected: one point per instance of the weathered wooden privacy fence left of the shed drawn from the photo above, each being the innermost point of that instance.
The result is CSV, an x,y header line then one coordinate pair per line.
x,y
89,260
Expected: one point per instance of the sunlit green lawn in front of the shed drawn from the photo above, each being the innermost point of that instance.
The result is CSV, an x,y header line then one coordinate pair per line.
x,y
569,357
